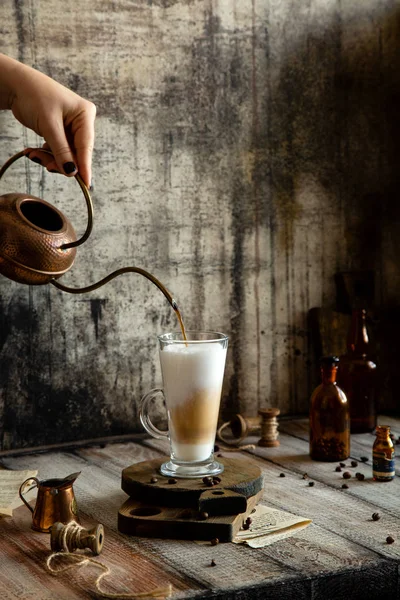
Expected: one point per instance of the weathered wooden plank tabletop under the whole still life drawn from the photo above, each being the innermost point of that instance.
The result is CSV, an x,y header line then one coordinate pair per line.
x,y
343,554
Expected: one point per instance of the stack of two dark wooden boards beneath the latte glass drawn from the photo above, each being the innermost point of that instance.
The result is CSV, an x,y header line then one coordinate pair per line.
x,y
188,508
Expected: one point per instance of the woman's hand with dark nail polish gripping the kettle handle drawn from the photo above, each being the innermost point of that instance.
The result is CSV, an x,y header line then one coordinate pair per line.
x,y
61,117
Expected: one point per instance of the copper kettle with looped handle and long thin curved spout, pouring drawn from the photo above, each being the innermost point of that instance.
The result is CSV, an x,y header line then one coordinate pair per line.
x,y
38,243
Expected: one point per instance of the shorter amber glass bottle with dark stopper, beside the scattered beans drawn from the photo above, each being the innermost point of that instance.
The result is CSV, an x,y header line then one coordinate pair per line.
x,y
329,416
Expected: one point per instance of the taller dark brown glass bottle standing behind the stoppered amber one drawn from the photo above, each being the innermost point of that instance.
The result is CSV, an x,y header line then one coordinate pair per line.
x,y
357,376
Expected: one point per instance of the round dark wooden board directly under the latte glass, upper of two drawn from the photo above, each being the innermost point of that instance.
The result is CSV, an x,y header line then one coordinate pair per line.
x,y
240,476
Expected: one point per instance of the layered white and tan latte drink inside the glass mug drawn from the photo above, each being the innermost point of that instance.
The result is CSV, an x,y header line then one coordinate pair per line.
x,y
192,377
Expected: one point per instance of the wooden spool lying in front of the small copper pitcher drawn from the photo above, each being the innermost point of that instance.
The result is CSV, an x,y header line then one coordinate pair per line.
x,y
71,536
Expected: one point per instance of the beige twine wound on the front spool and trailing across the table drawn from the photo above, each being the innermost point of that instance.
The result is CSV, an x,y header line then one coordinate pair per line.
x,y
71,536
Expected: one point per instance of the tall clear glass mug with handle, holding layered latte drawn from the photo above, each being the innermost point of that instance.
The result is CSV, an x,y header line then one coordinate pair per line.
x,y
192,373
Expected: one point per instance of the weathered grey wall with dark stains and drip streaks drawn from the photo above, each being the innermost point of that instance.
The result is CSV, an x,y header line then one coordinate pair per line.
x,y
246,150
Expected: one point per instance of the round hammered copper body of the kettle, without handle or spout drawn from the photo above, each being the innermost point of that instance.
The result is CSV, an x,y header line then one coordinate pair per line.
x,y
23,244
